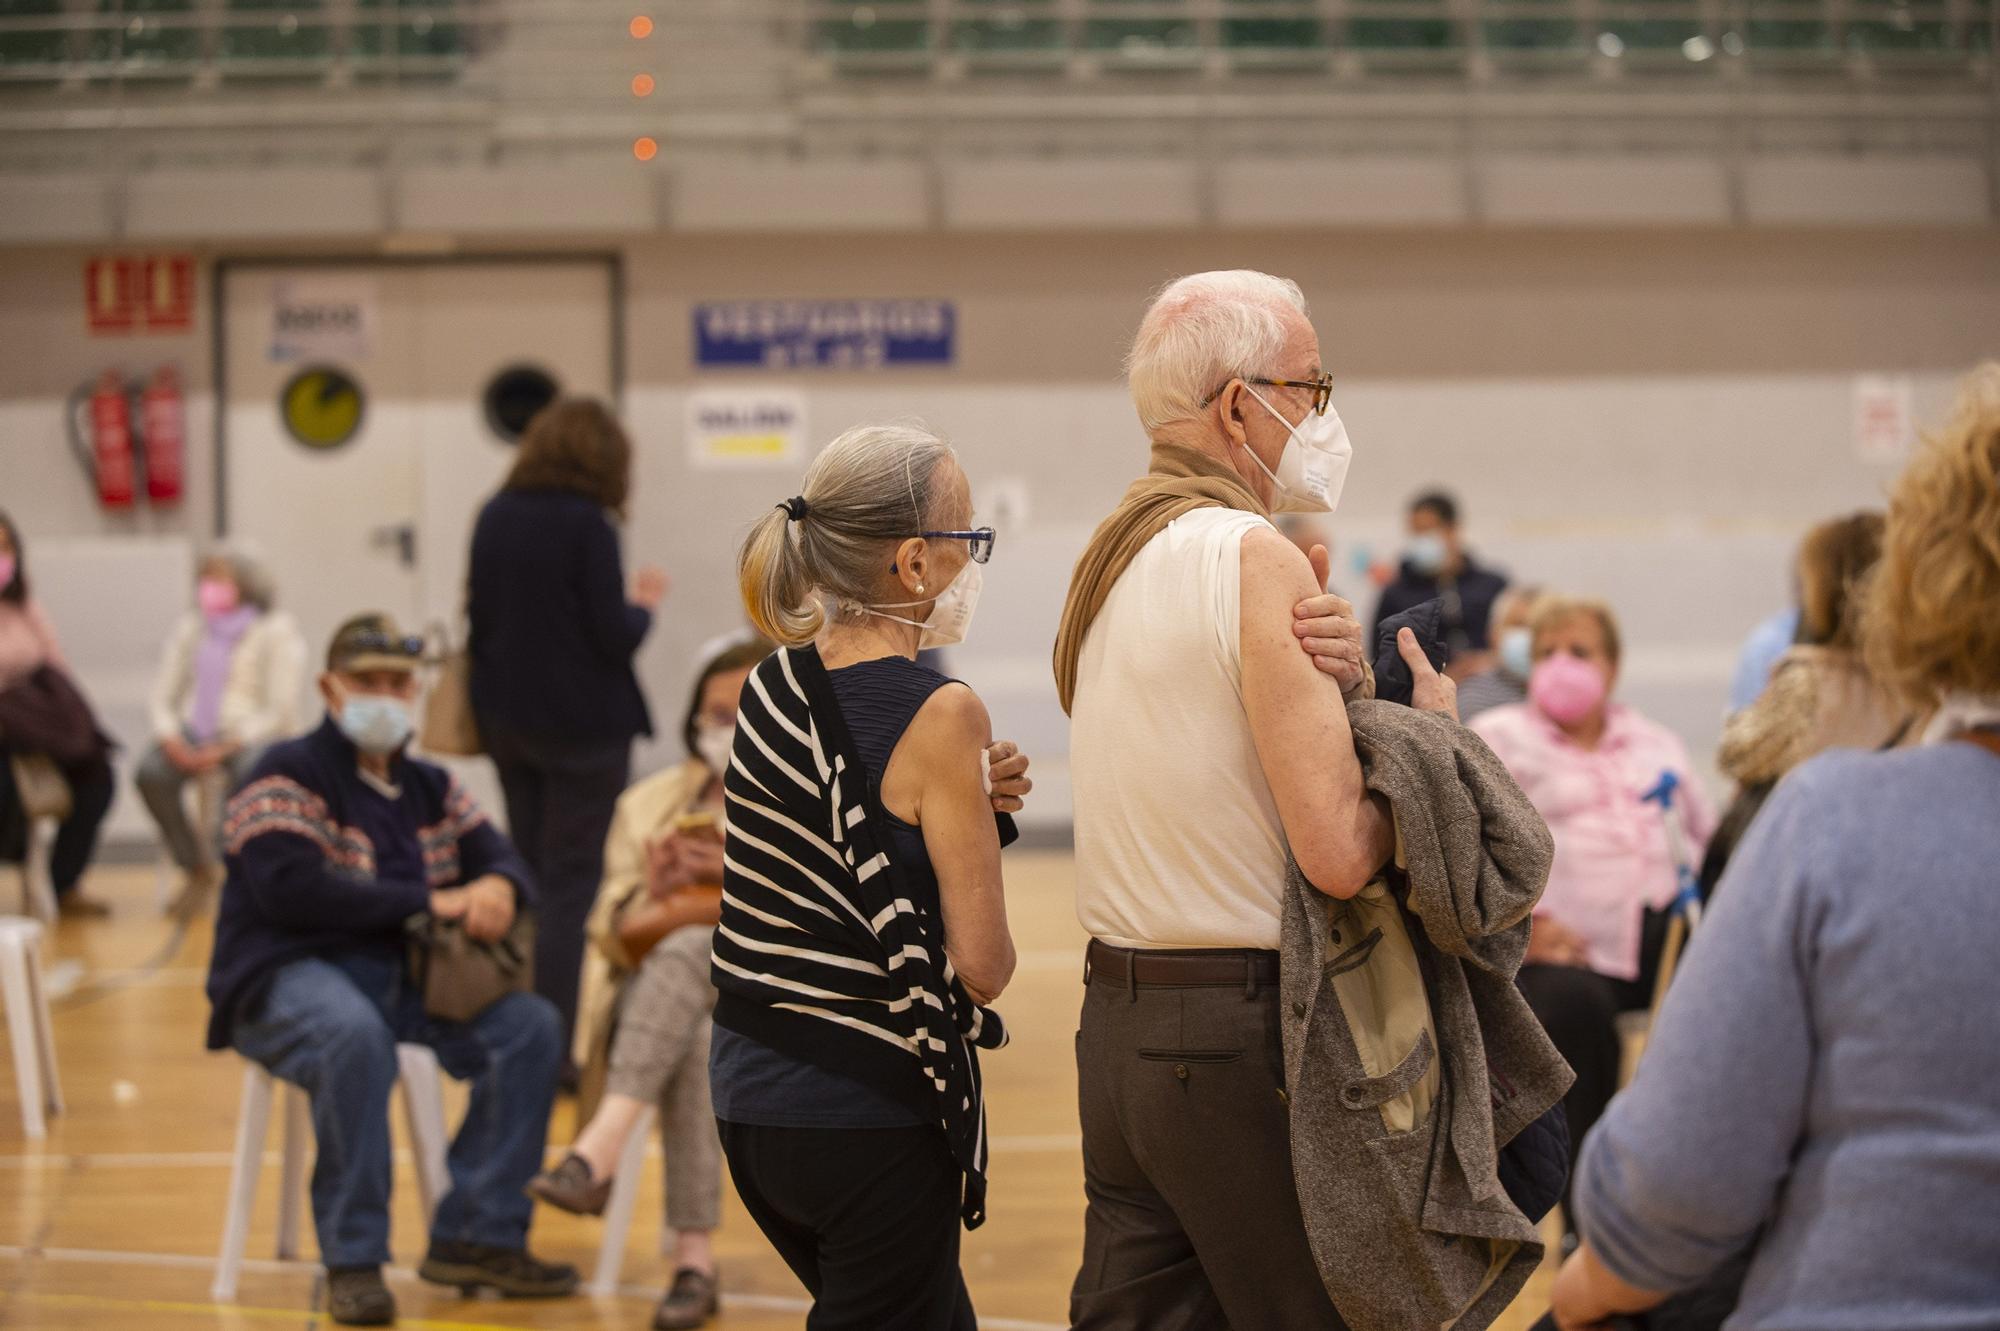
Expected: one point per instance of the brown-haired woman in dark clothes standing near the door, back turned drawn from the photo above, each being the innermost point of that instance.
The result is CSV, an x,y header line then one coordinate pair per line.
x,y
553,639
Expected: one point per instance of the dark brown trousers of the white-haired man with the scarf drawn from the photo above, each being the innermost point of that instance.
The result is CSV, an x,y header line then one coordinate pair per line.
x,y
1193,1220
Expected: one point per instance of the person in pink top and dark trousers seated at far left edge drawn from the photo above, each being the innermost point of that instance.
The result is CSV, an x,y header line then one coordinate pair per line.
x,y
29,645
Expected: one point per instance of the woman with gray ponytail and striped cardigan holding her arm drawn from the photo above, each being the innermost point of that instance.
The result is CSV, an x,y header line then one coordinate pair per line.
x,y
863,918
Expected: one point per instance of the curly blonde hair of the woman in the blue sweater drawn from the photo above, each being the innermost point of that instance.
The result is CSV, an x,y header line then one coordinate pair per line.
x,y
1931,625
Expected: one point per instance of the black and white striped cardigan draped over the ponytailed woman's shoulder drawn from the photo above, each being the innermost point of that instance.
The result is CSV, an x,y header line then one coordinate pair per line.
x,y
823,952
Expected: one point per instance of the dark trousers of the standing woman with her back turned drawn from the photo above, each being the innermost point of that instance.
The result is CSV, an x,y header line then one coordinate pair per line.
x,y
561,798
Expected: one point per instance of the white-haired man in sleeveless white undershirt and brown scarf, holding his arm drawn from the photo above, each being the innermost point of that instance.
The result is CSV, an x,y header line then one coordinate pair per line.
x,y
1209,748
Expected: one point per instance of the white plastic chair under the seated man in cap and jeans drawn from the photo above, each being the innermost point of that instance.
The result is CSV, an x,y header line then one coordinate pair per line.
x,y
423,1102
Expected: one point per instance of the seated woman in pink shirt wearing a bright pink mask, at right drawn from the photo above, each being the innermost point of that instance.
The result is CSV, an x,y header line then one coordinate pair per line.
x,y
1587,762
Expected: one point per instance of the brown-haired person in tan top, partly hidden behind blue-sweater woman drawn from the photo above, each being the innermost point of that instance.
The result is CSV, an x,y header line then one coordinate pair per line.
x,y
1821,694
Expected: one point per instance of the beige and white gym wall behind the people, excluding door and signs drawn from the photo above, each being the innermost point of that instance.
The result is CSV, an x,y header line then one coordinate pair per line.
x,y
1653,417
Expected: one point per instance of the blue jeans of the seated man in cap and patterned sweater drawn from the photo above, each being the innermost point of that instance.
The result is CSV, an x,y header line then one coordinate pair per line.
x,y
333,1026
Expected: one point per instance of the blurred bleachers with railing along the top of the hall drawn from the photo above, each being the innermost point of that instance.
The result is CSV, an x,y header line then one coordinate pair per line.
x,y
883,75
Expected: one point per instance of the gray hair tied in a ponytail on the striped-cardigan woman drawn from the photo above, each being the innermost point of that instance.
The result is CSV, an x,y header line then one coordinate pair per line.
x,y
867,491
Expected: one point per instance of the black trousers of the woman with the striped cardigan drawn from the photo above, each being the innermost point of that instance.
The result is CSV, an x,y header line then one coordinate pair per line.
x,y
865,1216
